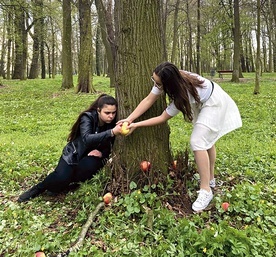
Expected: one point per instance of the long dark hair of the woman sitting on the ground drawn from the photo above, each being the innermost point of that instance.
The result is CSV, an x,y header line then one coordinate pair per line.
x,y
98,104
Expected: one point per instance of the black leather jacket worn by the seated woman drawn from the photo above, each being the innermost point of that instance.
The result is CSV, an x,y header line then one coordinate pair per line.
x,y
91,136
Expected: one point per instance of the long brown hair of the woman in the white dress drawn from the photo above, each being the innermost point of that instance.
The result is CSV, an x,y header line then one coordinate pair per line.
x,y
177,86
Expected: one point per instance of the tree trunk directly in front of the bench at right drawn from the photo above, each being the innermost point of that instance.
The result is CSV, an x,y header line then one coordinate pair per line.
x,y
236,59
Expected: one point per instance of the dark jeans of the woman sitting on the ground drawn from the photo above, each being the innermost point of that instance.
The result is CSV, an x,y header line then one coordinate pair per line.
x,y
65,174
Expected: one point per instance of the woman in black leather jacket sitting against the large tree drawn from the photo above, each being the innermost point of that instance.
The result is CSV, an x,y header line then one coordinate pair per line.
x,y
88,148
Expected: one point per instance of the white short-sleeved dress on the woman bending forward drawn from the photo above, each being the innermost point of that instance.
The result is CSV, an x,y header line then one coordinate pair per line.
x,y
217,113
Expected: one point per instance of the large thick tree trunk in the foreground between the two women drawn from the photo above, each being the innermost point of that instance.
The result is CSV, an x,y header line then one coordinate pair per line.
x,y
137,55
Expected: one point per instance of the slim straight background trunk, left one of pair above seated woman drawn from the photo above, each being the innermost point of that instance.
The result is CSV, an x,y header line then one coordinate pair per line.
x,y
67,70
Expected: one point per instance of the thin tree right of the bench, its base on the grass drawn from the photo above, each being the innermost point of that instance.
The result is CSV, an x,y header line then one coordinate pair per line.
x,y
258,55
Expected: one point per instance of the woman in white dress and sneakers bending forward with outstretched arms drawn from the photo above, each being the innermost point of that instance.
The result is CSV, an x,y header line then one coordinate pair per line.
x,y
201,101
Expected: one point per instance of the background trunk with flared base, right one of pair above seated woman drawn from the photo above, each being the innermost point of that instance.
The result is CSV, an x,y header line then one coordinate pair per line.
x,y
85,54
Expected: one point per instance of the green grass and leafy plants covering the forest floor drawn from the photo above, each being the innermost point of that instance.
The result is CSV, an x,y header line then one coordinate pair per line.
x,y
35,120
